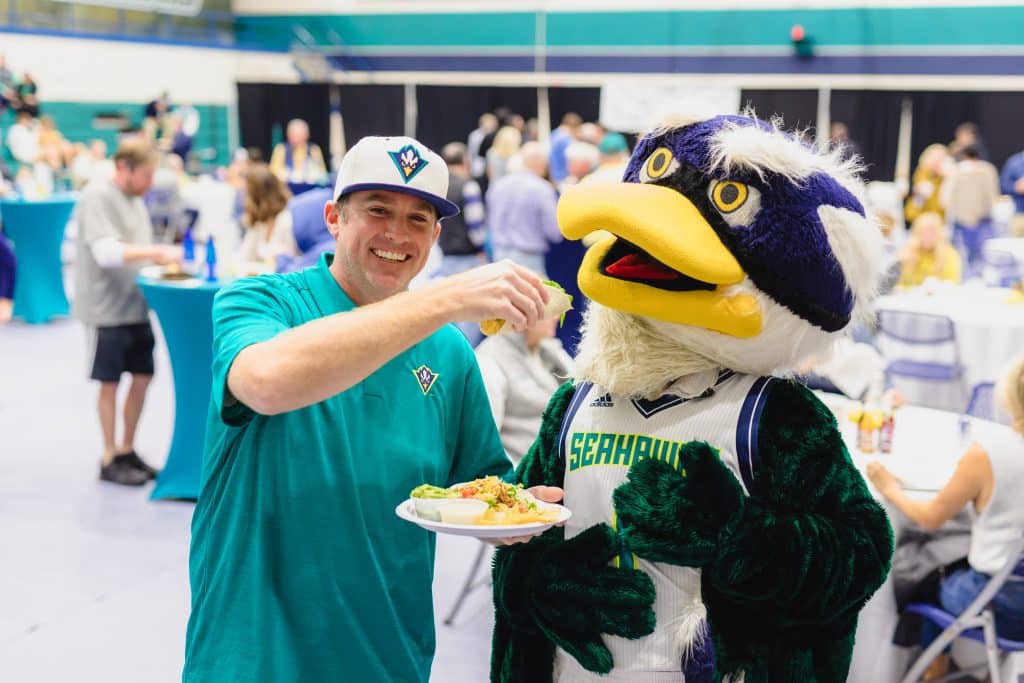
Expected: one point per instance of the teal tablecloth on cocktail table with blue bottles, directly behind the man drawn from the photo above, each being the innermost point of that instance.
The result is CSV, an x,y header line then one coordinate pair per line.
x,y
185,315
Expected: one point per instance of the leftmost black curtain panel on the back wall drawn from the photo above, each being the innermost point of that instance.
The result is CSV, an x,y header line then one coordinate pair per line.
x,y
264,105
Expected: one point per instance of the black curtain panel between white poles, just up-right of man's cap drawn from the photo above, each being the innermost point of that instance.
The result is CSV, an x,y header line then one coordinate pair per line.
x,y
447,114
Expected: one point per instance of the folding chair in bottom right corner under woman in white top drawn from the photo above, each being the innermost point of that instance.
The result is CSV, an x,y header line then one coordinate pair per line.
x,y
976,623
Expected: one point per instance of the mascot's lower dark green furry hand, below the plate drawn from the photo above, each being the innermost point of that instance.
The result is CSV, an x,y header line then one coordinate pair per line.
x,y
570,593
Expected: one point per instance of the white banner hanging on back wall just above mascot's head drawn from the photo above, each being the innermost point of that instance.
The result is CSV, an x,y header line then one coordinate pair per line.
x,y
633,107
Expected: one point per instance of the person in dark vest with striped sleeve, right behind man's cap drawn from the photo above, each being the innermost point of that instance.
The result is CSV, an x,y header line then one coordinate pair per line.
x,y
462,240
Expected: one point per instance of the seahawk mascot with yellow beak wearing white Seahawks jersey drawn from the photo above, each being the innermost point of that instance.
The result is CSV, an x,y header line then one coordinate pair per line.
x,y
720,532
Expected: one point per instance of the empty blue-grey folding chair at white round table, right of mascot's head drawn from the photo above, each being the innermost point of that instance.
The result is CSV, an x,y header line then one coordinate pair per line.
x,y
923,330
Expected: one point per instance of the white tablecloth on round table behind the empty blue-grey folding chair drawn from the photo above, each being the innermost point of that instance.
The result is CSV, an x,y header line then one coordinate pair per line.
x,y
990,334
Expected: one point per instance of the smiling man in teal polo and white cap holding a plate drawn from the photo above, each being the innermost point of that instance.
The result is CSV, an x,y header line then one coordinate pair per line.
x,y
335,393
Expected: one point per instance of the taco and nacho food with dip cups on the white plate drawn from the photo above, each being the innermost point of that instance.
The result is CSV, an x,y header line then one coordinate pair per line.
x,y
505,503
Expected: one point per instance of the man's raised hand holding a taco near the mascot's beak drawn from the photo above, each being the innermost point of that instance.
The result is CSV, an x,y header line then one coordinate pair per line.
x,y
504,290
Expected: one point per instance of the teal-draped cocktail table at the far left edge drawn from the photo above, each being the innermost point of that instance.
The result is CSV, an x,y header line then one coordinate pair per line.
x,y
37,228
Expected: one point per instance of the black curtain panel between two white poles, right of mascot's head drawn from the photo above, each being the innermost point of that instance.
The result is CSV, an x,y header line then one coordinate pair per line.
x,y
873,118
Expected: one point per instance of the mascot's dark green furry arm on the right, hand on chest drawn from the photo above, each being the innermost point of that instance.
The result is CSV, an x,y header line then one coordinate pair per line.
x,y
787,570
